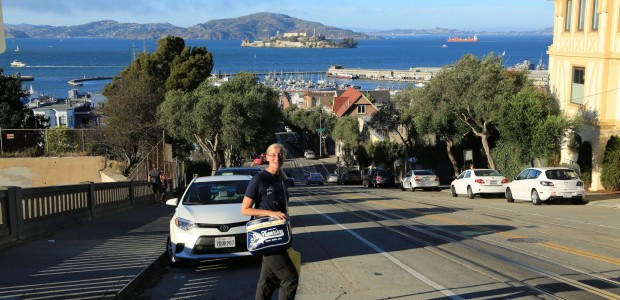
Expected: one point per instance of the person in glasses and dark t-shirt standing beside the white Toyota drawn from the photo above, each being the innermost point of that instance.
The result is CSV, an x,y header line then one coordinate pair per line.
x,y
265,197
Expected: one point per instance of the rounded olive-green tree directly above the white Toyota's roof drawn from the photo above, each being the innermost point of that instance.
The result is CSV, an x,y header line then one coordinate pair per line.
x,y
235,119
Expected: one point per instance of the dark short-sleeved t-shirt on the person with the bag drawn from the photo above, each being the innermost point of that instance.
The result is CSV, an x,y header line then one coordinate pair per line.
x,y
267,192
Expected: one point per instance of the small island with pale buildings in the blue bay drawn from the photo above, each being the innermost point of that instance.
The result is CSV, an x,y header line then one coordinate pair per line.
x,y
300,40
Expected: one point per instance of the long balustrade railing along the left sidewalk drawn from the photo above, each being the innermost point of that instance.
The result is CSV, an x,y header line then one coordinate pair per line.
x,y
27,213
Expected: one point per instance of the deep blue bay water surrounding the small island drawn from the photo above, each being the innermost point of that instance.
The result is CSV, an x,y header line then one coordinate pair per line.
x,y
54,61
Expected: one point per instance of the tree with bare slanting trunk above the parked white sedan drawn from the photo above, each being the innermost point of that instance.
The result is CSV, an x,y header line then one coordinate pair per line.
x,y
475,90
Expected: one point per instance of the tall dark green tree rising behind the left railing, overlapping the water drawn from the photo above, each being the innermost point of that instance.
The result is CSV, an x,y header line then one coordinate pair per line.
x,y
130,113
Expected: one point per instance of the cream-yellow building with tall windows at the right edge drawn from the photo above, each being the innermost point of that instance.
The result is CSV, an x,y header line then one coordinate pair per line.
x,y
584,71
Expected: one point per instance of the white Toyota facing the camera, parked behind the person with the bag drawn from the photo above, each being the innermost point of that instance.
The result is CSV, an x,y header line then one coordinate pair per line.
x,y
208,222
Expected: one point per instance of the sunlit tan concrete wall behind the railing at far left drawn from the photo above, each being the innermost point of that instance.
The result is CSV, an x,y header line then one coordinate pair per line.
x,y
50,171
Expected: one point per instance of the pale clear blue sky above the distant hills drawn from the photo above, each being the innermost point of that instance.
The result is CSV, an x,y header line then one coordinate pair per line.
x,y
358,14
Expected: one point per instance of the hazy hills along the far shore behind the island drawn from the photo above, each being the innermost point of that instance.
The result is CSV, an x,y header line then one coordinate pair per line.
x,y
253,27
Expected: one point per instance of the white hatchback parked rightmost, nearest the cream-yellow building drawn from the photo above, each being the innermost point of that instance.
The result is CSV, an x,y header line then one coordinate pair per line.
x,y
543,184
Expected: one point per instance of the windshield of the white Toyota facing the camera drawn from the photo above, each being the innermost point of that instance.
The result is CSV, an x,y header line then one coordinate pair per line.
x,y
216,192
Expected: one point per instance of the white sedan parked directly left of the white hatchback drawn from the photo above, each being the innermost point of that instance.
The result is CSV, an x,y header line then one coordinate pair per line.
x,y
478,181
